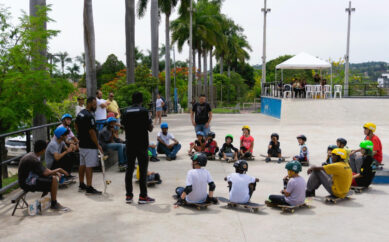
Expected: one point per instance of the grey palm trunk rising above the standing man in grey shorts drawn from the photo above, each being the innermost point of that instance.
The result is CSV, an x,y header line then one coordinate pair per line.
x,y
89,48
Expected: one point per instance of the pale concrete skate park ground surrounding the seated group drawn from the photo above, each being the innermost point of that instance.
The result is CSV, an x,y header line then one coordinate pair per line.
x,y
109,218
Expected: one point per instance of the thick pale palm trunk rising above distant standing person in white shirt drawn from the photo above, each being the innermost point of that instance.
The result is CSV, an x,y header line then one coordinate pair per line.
x,y
154,45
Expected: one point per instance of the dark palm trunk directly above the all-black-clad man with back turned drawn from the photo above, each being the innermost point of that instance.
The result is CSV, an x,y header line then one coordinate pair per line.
x,y
130,40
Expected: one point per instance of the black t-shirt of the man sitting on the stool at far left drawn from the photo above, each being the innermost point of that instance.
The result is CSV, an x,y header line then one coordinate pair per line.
x,y
28,163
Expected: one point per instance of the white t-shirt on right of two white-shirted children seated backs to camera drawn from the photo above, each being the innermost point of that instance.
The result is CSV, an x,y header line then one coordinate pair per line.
x,y
240,187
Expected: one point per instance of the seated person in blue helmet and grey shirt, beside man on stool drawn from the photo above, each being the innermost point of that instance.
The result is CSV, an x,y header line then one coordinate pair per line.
x,y
57,151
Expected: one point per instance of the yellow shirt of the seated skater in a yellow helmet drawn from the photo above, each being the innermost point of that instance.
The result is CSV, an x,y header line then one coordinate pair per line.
x,y
341,178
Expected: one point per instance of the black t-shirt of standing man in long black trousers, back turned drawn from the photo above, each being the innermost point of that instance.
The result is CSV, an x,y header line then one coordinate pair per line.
x,y
136,122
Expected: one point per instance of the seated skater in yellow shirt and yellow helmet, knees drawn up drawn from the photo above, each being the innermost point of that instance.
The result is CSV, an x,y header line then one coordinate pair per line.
x,y
336,178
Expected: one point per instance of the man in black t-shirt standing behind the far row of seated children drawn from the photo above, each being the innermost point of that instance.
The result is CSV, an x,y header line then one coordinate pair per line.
x,y
201,115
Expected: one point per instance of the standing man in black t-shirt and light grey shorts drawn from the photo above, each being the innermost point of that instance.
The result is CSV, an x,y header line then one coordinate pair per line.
x,y
89,146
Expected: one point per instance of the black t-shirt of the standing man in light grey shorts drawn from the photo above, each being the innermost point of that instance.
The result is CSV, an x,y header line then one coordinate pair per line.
x,y
86,121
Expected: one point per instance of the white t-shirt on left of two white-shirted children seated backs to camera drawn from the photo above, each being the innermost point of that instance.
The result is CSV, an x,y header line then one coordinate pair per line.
x,y
198,179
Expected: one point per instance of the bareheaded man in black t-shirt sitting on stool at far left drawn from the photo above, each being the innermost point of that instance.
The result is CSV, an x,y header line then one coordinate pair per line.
x,y
33,176
